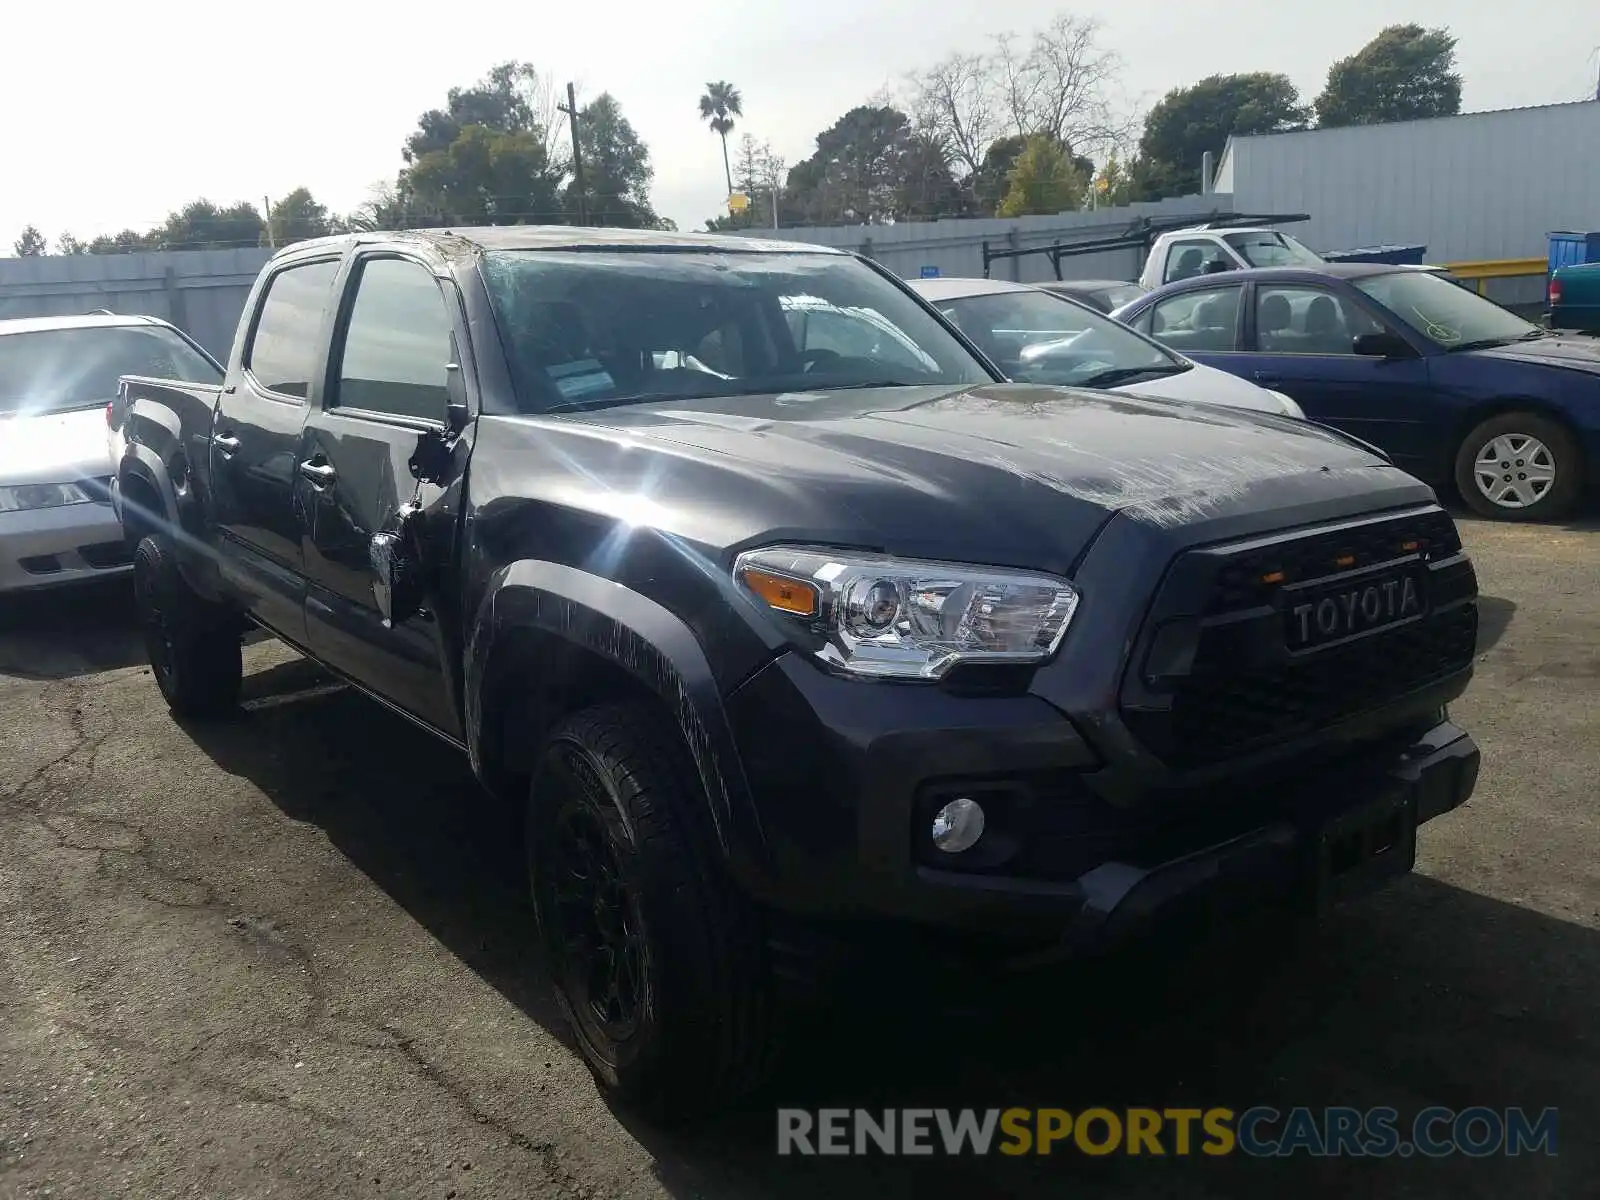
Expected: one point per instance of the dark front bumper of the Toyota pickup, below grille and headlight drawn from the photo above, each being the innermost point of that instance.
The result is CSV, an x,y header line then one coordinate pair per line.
x,y
849,775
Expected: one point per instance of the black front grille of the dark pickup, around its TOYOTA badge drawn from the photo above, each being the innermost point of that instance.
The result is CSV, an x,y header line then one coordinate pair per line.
x,y
1241,690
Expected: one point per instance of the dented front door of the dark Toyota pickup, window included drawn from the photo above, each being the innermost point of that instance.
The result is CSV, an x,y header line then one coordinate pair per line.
x,y
386,394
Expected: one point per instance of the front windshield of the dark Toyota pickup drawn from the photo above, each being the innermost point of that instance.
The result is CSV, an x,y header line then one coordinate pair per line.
x,y
593,329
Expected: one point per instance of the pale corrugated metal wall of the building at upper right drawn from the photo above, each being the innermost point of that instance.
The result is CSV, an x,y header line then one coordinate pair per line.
x,y
1479,186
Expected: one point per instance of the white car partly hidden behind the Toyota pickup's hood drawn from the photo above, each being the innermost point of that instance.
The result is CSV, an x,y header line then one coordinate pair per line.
x,y
1041,337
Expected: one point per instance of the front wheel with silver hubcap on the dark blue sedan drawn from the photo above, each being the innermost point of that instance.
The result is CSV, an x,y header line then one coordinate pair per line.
x,y
1521,468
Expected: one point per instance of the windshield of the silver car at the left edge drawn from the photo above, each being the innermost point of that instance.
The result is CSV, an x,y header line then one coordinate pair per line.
x,y
60,370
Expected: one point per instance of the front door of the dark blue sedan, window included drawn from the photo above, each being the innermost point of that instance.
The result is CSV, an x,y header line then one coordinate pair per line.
x,y
1305,335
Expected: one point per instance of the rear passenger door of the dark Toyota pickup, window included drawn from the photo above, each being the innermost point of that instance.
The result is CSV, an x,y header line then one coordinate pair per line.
x,y
255,434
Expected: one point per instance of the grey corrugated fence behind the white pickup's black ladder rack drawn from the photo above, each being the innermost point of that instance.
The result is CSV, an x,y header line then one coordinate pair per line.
x,y
956,247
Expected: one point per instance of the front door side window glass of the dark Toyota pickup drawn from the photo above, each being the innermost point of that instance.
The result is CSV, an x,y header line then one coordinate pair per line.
x,y
398,343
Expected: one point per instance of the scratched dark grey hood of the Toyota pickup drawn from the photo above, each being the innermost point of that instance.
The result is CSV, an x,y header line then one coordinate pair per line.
x,y
1004,473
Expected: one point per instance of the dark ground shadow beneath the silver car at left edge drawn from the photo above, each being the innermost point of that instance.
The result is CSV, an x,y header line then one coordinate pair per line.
x,y
65,633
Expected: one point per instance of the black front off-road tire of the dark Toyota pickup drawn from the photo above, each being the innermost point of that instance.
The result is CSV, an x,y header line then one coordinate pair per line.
x,y
703,1030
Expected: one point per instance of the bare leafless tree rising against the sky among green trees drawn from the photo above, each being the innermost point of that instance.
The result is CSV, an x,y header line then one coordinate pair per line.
x,y
1058,86
